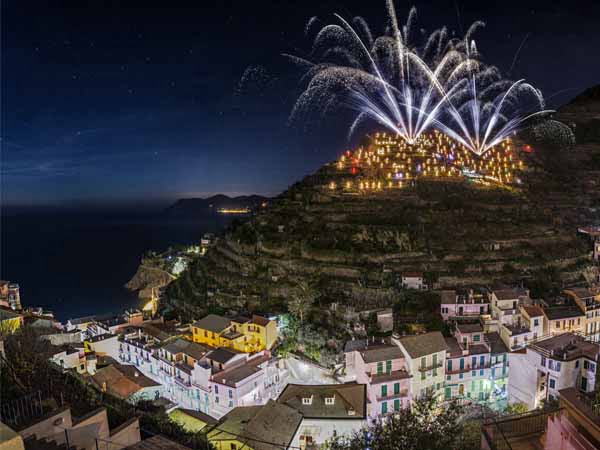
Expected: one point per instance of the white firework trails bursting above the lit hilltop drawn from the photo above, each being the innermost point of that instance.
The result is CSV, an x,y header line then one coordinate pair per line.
x,y
410,82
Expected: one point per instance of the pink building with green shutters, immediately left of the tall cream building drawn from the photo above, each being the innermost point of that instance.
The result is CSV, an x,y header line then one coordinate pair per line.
x,y
382,367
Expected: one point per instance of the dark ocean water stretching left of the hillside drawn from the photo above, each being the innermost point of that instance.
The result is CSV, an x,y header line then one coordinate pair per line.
x,y
76,263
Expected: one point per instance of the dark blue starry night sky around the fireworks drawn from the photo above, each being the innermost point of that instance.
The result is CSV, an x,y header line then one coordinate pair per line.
x,y
104,103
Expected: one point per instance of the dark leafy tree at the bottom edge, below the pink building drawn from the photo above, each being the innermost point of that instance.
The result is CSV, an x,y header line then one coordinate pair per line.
x,y
427,425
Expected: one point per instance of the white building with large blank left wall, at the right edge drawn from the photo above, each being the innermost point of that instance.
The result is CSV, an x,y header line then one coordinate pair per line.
x,y
539,371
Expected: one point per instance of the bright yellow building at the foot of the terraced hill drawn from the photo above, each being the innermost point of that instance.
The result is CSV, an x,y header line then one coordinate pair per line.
x,y
240,333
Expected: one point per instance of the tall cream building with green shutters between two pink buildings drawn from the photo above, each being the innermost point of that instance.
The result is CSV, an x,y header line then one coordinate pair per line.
x,y
425,356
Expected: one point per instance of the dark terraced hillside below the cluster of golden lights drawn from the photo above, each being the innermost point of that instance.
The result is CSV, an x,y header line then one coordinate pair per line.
x,y
350,248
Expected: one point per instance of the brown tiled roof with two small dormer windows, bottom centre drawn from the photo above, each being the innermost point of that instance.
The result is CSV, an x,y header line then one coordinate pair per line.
x,y
350,400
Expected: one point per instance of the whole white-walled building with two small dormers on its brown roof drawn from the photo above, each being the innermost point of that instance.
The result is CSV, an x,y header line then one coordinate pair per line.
x,y
327,411
